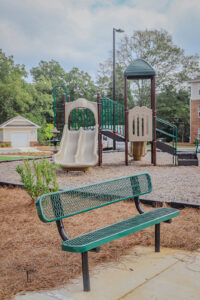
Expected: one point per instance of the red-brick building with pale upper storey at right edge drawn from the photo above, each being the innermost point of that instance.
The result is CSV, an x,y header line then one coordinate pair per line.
x,y
195,109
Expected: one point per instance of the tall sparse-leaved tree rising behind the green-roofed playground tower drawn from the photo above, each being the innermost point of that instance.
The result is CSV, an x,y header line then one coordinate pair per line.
x,y
172,66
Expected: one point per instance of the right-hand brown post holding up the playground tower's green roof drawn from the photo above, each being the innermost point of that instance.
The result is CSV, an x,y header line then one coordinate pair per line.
x,y
153,107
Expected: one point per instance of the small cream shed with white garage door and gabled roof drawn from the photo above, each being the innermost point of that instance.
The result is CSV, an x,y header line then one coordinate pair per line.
x,y
19,132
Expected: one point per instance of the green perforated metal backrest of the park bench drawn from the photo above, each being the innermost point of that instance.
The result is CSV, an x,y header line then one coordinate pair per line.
x,y
55,206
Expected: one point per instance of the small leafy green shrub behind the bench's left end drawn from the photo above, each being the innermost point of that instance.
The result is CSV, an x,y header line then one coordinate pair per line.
x,y
38,178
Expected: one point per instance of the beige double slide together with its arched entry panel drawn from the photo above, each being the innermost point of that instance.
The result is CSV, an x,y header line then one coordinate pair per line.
x,y
78,148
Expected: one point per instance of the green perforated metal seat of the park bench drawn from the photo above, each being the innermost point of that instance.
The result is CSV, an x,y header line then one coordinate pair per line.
x,y
112,232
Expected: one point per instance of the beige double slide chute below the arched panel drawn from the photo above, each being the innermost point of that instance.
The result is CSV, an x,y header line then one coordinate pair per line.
x,y
78,148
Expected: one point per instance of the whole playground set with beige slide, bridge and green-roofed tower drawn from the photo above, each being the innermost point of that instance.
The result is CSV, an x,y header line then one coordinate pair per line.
x,y
112,119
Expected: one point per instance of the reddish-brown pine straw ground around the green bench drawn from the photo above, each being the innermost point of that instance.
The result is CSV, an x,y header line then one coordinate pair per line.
x,y
30,251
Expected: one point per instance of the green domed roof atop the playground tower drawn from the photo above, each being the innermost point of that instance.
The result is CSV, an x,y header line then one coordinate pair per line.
x,y
139,68
